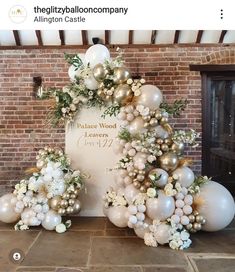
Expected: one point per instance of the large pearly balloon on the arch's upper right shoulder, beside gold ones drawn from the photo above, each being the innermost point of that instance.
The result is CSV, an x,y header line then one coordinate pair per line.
x,y
150,97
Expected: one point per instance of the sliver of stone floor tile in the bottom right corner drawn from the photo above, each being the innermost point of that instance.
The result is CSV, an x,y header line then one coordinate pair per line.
x,y
215,264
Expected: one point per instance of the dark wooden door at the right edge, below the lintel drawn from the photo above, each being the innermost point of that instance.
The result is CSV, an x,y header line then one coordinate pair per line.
x,y
218,137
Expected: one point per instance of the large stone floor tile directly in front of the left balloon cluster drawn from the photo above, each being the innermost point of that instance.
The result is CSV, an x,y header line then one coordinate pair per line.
x,y
53,249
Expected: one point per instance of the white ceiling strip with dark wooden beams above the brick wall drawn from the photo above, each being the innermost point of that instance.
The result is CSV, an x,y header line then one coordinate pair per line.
x,y
82,38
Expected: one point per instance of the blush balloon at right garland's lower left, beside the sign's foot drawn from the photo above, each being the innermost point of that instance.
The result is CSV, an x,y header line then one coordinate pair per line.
x,y
118,216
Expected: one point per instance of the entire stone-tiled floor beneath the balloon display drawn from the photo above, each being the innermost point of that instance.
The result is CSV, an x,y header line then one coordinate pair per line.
x,y
95,245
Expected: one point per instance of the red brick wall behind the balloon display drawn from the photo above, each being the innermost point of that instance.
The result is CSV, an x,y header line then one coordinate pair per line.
x,y
22,117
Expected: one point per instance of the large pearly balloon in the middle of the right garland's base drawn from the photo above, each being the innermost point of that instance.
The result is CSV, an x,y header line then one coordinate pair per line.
x,y
160,208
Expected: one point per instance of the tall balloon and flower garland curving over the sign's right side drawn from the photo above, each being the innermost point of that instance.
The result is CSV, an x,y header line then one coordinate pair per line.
x,y
156,192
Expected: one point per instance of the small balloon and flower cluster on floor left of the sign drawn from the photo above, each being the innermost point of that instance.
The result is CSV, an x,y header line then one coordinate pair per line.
x,y
48,193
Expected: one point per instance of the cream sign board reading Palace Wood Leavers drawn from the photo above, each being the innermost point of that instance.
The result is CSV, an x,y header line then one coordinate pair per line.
x,y
89,144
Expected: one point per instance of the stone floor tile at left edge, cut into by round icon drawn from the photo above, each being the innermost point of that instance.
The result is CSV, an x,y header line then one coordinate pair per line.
x,y
10,240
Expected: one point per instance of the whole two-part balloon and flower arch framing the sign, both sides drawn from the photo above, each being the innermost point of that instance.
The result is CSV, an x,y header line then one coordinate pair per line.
x,y
156,192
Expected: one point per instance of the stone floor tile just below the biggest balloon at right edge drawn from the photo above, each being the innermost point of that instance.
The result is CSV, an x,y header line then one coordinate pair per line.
x,y
213,242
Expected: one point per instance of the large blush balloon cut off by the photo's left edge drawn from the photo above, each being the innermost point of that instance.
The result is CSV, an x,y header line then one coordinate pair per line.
x,y
7,212
